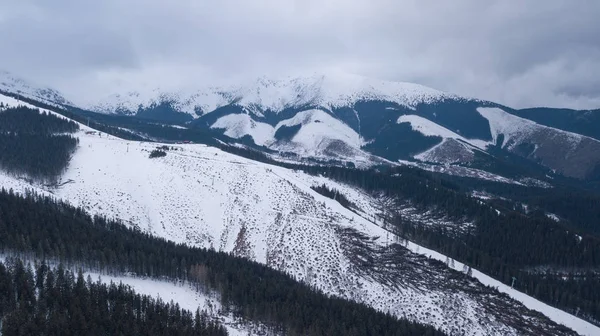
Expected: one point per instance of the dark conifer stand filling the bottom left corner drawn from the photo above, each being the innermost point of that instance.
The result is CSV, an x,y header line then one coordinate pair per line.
x,y
46,301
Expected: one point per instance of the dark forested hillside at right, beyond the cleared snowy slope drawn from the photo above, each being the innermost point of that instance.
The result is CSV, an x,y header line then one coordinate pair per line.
x,y
506,245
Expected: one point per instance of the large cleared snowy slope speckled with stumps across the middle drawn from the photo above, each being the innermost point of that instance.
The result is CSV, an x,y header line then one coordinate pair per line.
x,y
202,196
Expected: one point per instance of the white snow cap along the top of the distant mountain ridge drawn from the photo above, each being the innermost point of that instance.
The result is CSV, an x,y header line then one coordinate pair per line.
x,y
270,94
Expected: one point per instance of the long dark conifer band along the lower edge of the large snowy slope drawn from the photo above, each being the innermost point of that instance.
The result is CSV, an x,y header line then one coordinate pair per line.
x,y
42,228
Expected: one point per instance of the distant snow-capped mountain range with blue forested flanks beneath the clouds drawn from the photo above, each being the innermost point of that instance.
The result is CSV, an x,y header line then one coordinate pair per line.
x,y
363,121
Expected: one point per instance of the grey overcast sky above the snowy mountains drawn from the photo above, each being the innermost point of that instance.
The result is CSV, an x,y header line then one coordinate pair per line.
x,y
521,53
